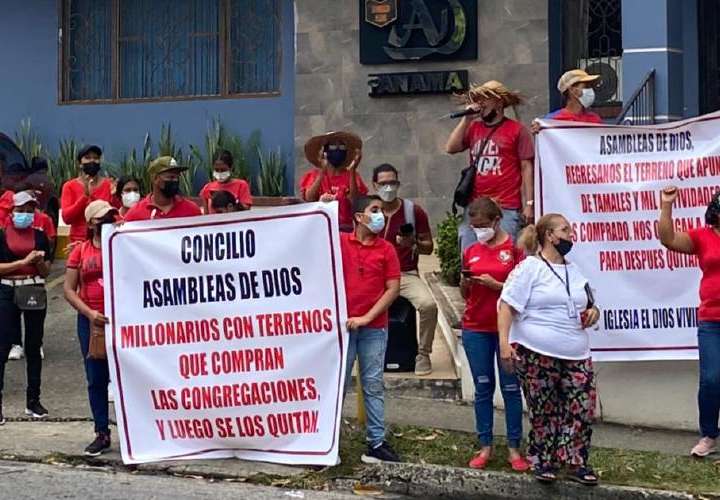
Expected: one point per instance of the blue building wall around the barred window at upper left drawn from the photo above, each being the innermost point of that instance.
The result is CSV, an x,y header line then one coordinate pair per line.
x,y
29,60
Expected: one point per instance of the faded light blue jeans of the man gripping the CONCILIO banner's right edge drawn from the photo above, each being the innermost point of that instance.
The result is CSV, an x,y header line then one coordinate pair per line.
x,y
369,344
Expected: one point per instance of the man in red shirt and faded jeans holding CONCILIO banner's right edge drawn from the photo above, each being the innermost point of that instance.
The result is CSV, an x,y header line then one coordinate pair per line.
x,y
372,283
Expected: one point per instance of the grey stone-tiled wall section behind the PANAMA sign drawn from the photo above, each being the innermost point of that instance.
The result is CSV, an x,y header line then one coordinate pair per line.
x,y
332,91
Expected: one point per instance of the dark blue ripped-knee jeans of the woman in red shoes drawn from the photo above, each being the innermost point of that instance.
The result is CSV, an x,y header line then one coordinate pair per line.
x,y
482,352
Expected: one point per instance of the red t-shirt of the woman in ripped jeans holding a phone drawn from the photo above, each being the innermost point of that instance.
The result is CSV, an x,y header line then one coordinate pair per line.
x,y
481,301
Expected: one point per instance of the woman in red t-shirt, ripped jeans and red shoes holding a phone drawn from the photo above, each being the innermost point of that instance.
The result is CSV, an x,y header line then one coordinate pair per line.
x,y
486,266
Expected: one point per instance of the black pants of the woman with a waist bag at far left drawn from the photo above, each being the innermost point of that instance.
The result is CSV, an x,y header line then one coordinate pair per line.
x,y
10,317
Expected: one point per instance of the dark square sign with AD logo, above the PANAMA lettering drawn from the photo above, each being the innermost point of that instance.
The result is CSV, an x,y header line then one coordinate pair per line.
x,y
393,31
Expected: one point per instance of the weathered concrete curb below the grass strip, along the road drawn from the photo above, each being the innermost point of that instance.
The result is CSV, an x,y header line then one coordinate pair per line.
x,y
433,481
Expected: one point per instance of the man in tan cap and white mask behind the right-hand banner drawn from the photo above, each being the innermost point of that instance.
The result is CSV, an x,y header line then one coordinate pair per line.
x,y
576,86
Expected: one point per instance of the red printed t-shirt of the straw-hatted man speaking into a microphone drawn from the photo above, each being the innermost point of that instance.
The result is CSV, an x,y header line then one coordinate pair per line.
x,y
499,173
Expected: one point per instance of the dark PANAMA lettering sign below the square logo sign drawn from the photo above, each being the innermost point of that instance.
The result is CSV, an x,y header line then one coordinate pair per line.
x,y
420,82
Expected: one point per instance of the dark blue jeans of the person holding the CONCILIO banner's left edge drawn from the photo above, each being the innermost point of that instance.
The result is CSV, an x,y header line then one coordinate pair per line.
x,y
98,378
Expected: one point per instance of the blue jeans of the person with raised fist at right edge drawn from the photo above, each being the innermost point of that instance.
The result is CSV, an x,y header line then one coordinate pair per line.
x,y
709,389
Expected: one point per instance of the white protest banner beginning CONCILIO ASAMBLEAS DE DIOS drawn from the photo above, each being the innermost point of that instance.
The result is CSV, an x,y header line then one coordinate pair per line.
x,y
227,335
